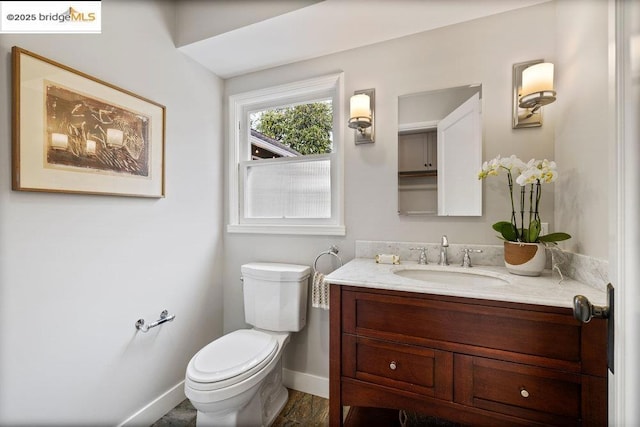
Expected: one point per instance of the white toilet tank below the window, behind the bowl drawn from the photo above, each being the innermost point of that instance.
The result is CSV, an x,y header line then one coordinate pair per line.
x,y
275,295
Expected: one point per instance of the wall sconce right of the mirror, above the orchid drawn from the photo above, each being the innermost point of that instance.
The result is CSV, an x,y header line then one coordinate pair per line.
x,y
532,88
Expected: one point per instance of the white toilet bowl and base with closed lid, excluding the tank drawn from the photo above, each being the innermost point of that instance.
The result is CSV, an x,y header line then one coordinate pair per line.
x,y
237,379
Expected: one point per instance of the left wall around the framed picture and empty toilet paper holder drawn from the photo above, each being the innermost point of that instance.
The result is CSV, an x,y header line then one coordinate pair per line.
x,y
77,271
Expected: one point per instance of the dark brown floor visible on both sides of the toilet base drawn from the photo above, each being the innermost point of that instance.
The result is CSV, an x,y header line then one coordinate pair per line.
x,y
301,410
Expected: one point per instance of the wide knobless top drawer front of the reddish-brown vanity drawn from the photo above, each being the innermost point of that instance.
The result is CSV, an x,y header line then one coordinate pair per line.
x,y
436,322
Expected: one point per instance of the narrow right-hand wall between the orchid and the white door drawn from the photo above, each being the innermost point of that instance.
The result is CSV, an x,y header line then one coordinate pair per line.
x,y
584,143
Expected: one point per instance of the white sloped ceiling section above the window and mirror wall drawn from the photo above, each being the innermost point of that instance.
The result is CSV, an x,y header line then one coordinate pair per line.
x,y
332,26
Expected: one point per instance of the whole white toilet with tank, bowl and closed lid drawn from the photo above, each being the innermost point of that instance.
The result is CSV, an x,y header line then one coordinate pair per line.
x,y
236,380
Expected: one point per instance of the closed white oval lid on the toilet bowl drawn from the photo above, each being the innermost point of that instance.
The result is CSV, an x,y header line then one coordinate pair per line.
x,y
239,352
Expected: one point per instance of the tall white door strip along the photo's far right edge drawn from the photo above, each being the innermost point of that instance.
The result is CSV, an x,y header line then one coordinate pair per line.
x,y
624,41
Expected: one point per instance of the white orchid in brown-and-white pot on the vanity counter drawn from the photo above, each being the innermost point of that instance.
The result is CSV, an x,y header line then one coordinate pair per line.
x,y
524,246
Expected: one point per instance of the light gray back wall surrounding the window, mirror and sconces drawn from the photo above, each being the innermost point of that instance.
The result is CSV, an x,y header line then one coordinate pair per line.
x,y
480,51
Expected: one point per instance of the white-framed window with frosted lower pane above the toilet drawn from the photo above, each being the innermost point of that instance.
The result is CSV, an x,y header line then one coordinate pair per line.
x,y
286,173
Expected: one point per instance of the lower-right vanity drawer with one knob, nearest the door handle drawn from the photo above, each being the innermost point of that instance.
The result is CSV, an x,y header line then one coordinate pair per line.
x,y
545,395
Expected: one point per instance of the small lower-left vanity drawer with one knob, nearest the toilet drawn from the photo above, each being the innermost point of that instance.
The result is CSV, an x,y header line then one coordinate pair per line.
x,y
416,369
